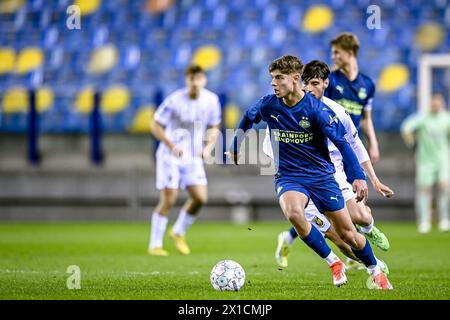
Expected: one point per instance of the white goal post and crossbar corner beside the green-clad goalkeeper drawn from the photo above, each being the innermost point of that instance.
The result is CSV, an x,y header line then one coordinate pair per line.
x,y
426,64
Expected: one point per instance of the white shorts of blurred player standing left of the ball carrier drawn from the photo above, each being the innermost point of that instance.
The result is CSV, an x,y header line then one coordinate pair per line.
x,y
172,174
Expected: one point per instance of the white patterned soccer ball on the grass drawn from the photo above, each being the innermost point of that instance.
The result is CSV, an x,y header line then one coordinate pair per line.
x,y
227,275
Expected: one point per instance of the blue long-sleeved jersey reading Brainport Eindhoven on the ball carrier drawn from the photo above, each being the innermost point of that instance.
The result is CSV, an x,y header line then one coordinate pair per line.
x,y
301,133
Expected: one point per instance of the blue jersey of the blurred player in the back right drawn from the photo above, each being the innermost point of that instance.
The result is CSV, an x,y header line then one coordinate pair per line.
x,y
355,96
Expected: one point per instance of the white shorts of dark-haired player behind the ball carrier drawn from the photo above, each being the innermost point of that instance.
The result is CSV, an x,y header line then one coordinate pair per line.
x,y
318,219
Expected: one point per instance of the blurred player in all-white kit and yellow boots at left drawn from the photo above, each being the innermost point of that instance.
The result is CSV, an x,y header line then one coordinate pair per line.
x,y
187,124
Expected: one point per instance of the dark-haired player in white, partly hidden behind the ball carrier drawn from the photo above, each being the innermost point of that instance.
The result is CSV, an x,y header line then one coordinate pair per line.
x,y
315,78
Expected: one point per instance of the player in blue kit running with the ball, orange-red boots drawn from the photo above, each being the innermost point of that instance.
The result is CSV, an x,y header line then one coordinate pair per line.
x,y
301,124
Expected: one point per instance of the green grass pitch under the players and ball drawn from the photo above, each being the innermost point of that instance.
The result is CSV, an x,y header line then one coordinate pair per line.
x,y
114,264
